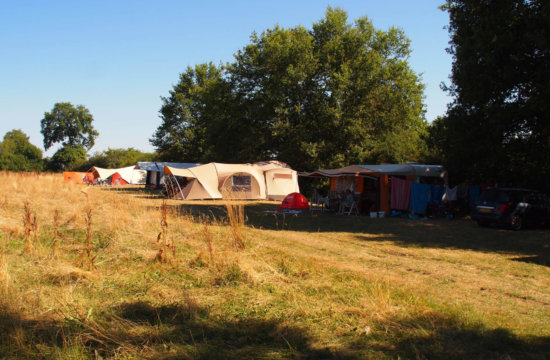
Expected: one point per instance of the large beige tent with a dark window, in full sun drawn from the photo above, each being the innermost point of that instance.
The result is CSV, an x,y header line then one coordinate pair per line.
x,y
267,180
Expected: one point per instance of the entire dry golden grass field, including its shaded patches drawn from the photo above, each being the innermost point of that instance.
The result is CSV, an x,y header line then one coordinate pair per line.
x,y
120,273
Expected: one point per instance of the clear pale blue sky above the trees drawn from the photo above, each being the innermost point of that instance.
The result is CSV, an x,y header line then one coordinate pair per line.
x,y
118,58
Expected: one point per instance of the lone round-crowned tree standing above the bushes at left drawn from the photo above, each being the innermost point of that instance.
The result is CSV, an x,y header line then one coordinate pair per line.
x,y
68,125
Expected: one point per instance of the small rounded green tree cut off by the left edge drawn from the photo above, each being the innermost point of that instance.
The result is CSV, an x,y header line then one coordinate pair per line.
x,y
18,154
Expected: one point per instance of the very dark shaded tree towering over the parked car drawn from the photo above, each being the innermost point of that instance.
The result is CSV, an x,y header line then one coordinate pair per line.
x,y
498,127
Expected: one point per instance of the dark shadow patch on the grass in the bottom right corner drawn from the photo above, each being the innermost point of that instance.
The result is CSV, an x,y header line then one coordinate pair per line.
x,y
437,336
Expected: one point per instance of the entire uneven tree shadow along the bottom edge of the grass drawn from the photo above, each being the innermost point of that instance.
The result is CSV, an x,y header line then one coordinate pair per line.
x,y
189,332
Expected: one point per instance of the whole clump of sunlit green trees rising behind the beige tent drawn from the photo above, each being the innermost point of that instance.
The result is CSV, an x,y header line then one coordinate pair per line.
x,y
331,96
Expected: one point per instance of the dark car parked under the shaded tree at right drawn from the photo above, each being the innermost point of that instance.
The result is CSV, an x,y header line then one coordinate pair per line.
x,y
515,208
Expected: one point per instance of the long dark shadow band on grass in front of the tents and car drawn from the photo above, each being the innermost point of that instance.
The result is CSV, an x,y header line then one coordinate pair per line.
x,y
434,233
